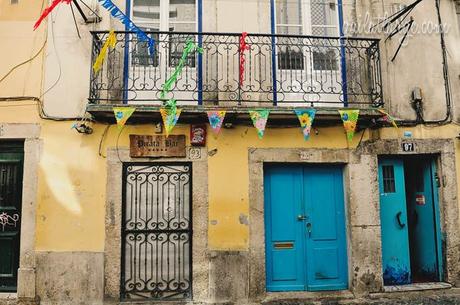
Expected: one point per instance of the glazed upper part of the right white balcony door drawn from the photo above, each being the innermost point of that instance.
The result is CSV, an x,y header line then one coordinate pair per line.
x,y
299,17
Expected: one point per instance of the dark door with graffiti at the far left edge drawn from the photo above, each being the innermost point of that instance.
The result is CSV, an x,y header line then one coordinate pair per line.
x,y
11,169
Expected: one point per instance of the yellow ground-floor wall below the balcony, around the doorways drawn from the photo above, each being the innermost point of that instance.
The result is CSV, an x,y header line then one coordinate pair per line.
x,y
72,176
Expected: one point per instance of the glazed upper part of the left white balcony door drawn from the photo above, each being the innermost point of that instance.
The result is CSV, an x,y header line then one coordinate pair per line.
x,y
164,16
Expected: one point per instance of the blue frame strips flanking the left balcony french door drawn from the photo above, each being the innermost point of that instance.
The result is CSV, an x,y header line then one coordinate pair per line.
x,y
200,56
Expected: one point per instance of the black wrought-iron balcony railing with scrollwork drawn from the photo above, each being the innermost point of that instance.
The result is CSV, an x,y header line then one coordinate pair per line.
x,y
279,70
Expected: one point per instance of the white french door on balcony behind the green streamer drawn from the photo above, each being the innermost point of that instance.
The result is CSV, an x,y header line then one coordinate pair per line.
x,y
147,73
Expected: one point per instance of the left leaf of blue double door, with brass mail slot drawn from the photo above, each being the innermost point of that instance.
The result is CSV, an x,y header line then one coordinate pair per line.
x,y
284,242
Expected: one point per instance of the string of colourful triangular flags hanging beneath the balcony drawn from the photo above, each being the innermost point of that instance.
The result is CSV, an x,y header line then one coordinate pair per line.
x,y
259,117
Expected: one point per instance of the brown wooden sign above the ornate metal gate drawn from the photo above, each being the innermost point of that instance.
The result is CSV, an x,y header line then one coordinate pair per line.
x,y
157,146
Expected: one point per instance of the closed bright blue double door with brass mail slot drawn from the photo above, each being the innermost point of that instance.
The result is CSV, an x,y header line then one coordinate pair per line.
x,y
305,228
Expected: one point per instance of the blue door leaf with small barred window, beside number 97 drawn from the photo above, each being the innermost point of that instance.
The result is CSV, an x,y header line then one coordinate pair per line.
x,y
393,218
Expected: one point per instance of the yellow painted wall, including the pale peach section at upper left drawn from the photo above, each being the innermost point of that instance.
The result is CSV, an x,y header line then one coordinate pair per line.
x,y
72,175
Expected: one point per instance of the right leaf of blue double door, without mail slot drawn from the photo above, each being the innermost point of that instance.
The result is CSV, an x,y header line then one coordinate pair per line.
x,y
326,246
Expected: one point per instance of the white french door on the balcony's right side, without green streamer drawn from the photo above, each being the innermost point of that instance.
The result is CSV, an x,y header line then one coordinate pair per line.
x,y
309,70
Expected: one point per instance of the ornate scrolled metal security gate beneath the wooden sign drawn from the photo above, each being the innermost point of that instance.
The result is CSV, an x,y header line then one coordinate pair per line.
x,y
156,231
